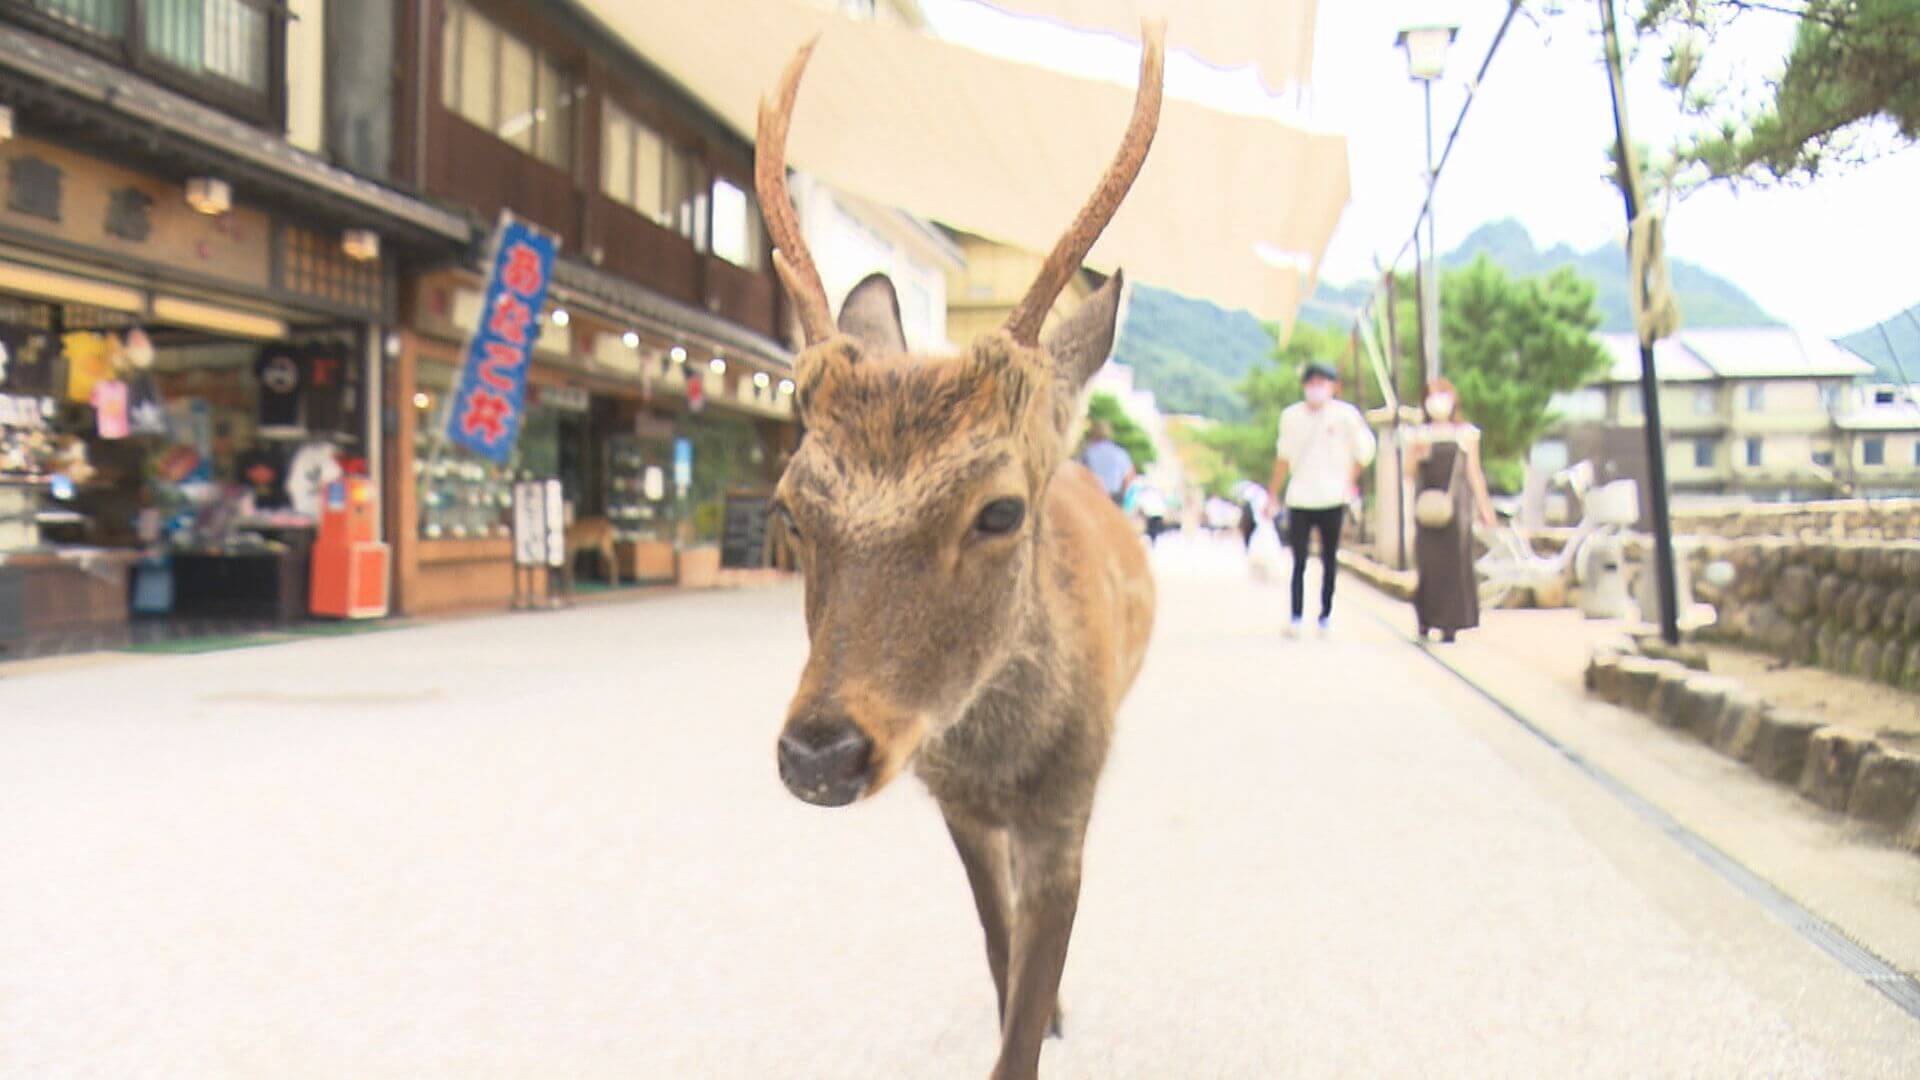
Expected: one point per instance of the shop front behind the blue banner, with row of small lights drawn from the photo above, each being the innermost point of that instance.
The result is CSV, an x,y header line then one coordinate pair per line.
x,y
646,430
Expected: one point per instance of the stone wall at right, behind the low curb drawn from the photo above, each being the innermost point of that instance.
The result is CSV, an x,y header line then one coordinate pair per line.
x,y
1850,606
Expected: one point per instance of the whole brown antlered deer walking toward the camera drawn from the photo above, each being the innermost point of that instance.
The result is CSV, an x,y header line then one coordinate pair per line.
x,y
976,606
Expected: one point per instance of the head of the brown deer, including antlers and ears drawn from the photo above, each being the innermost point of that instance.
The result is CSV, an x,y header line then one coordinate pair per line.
x,y
917,499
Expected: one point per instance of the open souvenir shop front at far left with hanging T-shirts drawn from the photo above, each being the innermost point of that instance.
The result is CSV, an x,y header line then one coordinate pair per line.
x,y
178,387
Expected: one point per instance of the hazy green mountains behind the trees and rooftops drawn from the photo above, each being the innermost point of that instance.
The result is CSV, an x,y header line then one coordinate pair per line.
x,y
1193,355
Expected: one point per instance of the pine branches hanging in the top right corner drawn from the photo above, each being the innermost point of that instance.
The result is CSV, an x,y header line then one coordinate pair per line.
x,y
1852,62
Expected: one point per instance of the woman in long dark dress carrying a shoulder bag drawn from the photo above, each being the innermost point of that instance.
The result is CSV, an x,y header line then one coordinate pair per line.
x,y
1445,460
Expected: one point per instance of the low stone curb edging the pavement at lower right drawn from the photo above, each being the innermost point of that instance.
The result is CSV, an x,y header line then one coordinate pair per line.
x,y
1835,768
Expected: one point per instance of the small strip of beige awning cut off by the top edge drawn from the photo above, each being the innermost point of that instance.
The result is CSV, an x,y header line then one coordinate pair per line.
x,y
1272,36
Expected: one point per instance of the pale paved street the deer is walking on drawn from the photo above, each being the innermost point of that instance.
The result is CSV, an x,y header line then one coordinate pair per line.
x,y
556,847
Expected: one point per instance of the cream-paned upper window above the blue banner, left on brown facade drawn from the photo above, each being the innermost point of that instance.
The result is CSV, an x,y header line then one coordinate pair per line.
x,y
496,82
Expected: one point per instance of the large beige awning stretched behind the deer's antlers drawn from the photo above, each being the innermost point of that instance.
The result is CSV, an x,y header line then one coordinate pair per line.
x,y
1007,151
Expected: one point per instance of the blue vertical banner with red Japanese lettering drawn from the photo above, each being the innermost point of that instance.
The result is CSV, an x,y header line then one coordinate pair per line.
x,y
491,399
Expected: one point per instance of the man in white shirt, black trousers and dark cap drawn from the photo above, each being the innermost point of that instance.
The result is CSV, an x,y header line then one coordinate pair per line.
x,y
1322,451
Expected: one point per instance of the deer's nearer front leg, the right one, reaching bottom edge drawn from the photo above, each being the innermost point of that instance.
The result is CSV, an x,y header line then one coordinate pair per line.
x,y
1047,889
